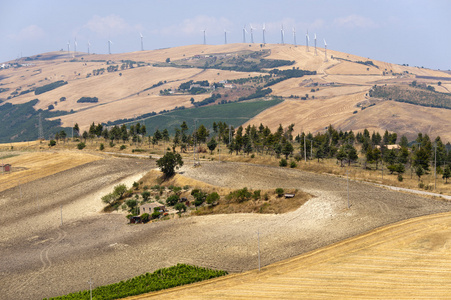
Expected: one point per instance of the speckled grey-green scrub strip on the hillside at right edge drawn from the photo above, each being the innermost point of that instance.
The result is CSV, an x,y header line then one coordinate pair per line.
x,y
412,95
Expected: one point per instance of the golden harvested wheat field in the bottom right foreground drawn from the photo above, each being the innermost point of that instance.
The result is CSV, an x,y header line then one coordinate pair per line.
x,y
406,260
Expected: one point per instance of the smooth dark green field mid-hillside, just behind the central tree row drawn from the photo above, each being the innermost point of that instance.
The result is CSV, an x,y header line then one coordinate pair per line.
x,y
234,114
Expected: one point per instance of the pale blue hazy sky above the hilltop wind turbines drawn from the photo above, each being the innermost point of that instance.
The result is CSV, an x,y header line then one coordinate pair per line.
x,y
414,32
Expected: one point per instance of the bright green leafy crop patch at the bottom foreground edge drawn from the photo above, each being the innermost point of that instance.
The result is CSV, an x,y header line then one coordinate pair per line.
x,y
161,279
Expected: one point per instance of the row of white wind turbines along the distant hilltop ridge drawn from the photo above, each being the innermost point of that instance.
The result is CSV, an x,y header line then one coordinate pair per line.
x,y
245,32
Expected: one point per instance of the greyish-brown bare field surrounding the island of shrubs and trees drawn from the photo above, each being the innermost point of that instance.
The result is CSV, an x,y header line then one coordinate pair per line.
x,y
42,259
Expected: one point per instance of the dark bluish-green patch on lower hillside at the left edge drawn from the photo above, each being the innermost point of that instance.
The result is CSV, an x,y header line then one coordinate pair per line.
x,y
20,122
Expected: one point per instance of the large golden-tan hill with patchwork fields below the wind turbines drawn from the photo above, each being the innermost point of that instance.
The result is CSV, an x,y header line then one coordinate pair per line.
x,y
128,85
